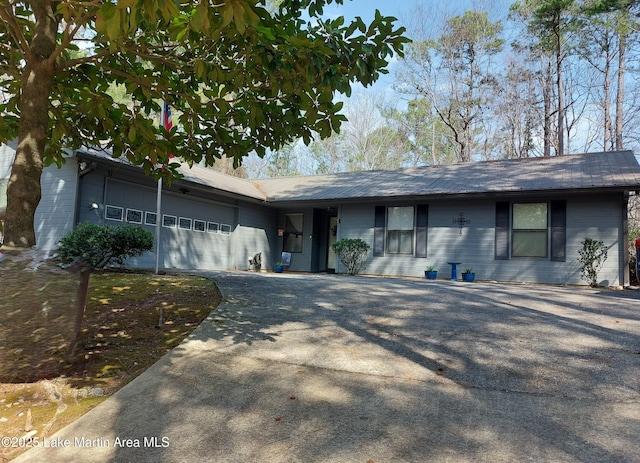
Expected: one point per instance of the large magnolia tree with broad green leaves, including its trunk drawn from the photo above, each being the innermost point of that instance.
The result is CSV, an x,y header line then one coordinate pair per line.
x,y
242,78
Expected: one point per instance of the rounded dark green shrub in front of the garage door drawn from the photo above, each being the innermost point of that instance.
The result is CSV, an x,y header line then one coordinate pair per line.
x,y
97,246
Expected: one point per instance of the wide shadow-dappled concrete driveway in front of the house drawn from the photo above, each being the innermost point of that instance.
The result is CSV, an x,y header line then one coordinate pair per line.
x,y
323,368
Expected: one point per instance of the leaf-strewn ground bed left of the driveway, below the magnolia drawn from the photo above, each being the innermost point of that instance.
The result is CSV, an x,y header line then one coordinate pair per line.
x,y
131,321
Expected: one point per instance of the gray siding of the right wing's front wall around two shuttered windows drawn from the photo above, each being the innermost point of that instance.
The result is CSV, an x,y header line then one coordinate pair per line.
x,y
473,245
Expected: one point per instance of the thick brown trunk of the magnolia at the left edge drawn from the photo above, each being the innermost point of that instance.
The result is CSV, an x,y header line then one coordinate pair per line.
x,y
23,190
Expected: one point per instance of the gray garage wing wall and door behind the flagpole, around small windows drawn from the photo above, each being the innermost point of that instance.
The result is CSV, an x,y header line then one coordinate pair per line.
x,y
251,228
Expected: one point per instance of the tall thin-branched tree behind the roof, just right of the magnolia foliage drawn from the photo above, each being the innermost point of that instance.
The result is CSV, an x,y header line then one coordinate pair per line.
x,y
455,74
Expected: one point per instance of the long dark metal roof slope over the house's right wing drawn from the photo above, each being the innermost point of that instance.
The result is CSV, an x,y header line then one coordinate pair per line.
x,y
611,170
